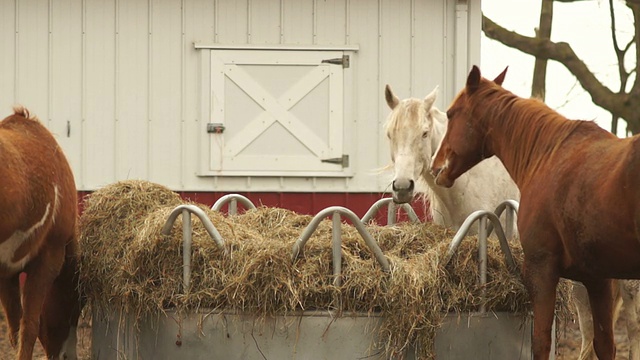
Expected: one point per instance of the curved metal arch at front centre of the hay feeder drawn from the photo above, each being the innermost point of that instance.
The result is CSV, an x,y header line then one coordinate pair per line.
x,y
313,225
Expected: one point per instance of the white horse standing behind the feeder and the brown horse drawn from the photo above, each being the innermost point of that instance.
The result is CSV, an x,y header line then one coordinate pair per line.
x,y
415,128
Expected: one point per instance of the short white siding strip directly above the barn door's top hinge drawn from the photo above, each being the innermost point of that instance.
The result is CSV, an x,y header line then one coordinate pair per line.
x,y
330,22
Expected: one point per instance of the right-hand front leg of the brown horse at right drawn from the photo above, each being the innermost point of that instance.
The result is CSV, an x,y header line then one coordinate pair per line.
x,y
601,300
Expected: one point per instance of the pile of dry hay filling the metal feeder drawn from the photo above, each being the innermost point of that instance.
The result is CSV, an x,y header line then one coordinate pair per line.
x,y
139,270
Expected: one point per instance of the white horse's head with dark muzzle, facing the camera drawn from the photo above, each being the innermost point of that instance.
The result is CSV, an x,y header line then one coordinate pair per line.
x,y
414,128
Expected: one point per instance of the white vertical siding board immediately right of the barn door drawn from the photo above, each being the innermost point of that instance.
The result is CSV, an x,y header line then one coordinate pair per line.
x,y
363,20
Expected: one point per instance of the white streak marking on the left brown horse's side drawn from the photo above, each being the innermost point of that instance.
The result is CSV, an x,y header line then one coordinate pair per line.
x,y
11,245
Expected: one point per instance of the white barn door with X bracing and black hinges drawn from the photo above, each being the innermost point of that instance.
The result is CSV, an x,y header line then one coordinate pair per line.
x,y
277,113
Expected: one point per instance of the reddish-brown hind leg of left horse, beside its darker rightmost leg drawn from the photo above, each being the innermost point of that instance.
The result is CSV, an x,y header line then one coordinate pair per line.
x,y
41,273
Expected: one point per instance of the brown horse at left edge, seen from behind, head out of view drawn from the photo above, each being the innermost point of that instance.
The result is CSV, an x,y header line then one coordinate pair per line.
x,y
38,236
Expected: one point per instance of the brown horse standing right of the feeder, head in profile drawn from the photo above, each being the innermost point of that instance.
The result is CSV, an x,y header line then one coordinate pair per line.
x,y
579,214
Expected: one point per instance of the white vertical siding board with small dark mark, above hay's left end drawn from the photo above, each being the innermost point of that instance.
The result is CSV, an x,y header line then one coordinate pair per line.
x,y
66,79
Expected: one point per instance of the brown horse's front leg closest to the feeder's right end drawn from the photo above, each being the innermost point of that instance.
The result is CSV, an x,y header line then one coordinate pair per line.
x,y
541,279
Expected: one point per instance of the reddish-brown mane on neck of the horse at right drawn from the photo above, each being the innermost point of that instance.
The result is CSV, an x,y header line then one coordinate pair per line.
x,y
532,131
